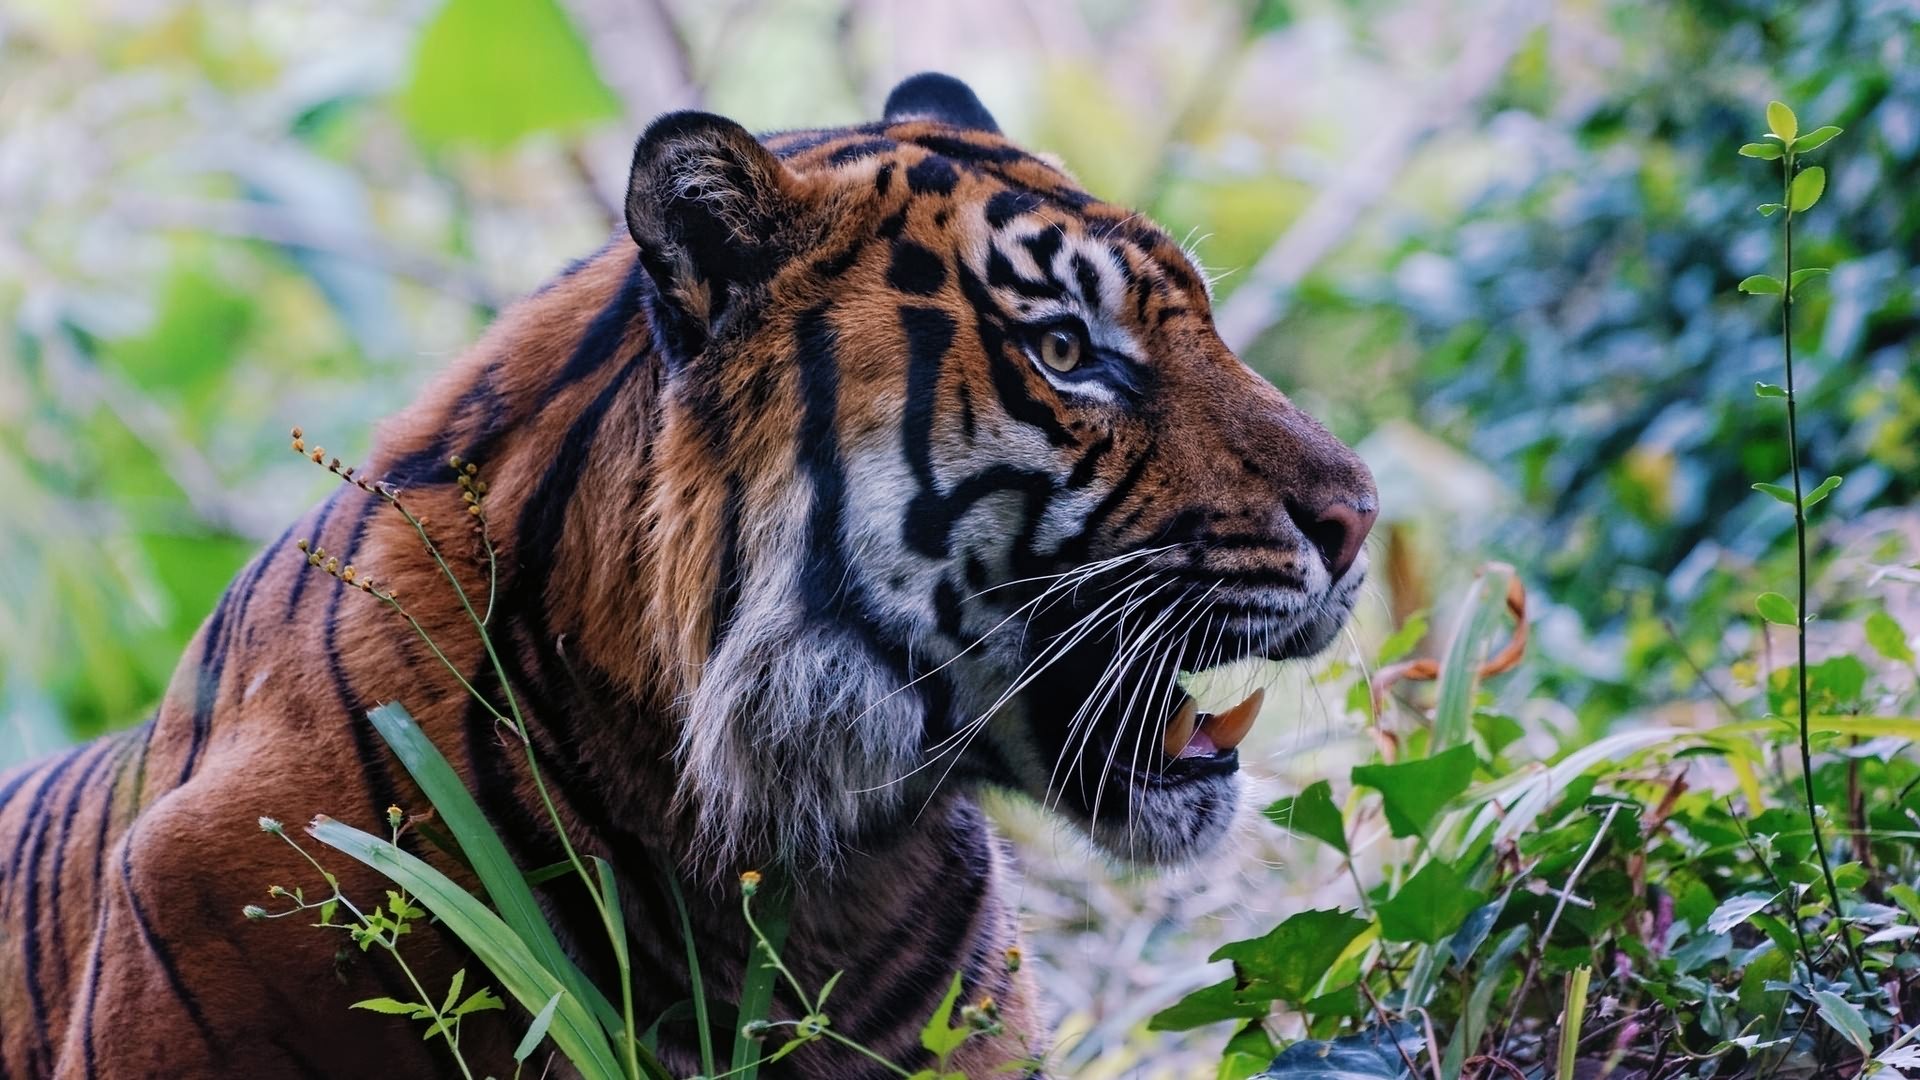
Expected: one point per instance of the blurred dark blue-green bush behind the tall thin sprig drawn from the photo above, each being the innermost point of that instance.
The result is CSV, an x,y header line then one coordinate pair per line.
x,y
1579,326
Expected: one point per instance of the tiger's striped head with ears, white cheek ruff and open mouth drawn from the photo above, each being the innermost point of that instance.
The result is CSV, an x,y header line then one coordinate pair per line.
x,y
955,483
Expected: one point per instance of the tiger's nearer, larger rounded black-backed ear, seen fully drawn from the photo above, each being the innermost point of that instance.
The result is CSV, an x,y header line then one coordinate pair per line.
x,y
708,205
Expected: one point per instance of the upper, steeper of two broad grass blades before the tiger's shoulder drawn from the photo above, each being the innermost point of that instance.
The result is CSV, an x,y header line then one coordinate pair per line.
x,y
498,873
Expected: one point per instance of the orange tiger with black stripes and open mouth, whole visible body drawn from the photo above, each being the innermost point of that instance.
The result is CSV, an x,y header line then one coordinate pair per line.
x,y
869,470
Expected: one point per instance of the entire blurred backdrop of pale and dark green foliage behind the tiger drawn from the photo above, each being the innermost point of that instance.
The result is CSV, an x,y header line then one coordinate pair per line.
x,y
228,218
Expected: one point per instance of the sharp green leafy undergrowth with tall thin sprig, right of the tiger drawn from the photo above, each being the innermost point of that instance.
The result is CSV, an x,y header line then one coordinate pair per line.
x,y
1668,902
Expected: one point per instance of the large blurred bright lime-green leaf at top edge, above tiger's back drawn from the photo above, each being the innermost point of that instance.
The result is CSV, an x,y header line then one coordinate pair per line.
x,y
494,72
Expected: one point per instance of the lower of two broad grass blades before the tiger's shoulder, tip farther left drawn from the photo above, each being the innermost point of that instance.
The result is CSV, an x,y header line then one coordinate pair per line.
x,y
494,943
